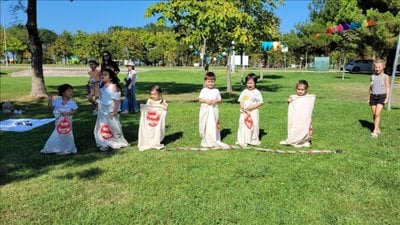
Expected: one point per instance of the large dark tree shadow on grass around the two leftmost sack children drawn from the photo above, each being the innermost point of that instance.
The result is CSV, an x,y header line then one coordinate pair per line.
x,y
20,158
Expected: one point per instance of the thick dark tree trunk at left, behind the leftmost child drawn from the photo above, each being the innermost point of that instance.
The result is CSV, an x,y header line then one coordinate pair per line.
x,y
38,88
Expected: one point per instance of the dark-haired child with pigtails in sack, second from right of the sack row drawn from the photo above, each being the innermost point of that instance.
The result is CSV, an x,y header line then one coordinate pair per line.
x,y
250,100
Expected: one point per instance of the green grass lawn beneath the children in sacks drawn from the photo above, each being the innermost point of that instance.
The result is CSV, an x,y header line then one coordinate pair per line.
x,y
360,186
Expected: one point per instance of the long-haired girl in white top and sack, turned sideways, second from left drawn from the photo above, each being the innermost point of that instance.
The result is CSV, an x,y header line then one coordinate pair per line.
x,y
108,131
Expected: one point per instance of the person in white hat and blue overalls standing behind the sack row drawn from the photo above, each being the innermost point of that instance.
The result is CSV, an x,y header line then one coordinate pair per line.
x,y
130,104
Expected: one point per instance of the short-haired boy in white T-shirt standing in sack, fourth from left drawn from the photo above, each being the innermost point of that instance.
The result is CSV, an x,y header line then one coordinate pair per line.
x,y
209,115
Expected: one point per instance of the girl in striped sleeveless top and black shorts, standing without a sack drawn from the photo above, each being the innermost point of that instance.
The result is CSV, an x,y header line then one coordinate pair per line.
x,y
378,94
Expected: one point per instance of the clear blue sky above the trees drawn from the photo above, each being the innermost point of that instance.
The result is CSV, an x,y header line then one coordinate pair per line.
x,y
94,16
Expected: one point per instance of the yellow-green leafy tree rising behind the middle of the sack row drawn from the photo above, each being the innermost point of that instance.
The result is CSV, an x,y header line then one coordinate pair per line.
x,y
199,22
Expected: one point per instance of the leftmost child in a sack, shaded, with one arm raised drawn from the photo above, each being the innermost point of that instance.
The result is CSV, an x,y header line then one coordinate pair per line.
x,y
61,140
